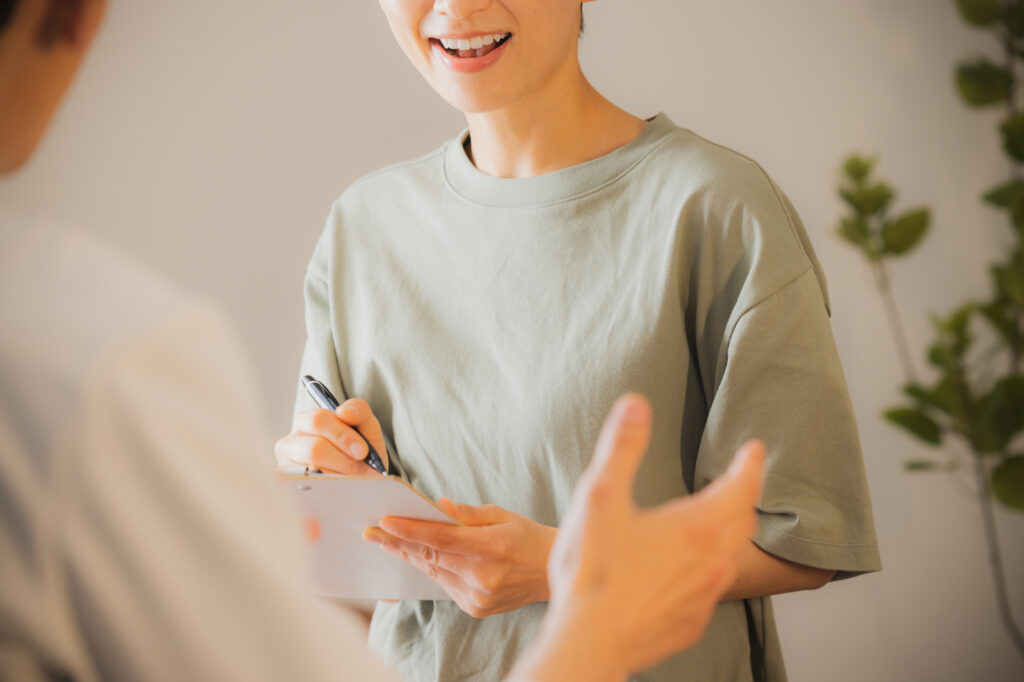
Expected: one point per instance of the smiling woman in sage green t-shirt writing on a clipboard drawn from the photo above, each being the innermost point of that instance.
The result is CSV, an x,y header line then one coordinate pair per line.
x,y
485,305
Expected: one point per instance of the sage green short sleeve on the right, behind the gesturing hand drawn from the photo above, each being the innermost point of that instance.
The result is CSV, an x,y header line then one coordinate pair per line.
x,y
783,383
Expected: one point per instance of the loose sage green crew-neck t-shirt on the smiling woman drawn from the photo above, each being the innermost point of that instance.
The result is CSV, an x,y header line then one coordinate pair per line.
x,y
492,323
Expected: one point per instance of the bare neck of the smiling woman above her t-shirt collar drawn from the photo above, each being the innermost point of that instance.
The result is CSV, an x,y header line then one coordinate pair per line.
x,y
548,132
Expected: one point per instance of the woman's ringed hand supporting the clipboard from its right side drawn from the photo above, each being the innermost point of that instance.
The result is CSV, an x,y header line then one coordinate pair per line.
x,y
497,563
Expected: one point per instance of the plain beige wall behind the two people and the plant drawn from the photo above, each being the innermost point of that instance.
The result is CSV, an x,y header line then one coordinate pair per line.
x,y
209,139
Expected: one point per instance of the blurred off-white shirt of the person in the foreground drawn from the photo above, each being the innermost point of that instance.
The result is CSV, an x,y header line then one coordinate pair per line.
x,y
142,534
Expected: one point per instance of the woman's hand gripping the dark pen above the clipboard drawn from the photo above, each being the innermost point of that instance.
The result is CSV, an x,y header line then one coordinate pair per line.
x,y
330,441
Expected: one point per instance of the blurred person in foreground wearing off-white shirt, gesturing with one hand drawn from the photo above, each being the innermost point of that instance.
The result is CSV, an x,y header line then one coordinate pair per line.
x,y
143,538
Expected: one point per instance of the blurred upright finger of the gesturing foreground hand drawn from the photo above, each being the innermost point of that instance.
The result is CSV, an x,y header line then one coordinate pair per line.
x,y
623,443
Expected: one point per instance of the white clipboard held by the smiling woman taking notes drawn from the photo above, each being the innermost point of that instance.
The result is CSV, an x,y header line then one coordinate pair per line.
x,y
344,564
